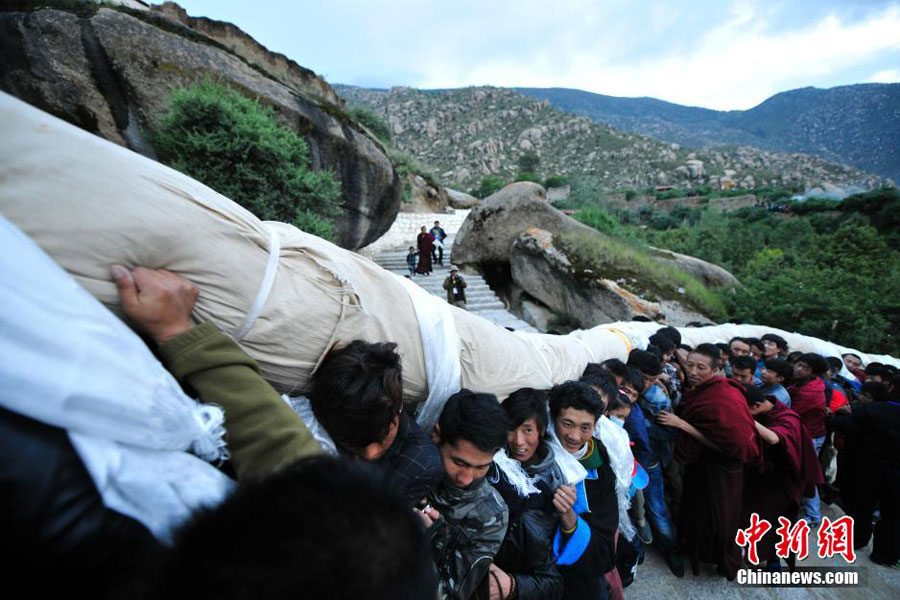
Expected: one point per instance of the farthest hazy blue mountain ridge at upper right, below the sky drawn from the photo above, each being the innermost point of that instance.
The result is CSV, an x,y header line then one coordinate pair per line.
x,y
855,124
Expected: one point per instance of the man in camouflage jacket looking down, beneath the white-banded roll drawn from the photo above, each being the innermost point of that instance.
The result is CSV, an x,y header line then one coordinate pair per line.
x,y
471,430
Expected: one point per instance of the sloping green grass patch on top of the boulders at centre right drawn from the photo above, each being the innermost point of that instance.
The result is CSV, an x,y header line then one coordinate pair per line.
x,y
617,259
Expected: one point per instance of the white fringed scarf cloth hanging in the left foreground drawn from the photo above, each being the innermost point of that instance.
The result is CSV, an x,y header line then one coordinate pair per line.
x,y
66,361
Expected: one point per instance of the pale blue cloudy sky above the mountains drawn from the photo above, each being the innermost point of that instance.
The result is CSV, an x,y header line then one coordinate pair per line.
x,y
714,53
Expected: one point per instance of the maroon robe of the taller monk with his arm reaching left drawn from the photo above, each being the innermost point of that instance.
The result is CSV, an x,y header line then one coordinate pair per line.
x,y
714,481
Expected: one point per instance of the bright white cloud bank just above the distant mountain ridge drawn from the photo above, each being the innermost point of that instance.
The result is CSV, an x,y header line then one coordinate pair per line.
x,y
734,65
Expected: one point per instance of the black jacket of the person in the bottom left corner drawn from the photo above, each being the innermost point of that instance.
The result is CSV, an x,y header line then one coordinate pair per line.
x,y
57,533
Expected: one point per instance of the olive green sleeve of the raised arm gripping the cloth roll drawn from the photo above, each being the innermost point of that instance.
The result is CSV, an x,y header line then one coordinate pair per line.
x,y
264,434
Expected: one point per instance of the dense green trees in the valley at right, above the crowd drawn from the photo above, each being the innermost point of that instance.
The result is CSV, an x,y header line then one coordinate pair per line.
x,y
827,268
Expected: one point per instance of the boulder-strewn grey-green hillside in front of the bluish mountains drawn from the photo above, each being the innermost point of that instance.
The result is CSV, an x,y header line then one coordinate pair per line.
x,y
468,133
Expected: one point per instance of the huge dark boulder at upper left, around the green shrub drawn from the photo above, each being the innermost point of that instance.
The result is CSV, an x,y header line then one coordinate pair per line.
x,y
111,71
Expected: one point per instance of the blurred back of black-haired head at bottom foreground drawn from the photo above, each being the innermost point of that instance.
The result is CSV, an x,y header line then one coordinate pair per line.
x,y
320,528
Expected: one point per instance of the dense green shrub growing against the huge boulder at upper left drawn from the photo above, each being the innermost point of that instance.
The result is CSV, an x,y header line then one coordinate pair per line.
x,y
237,147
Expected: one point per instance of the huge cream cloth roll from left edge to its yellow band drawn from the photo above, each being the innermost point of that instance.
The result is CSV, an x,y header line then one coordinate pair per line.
x,y
286,296
